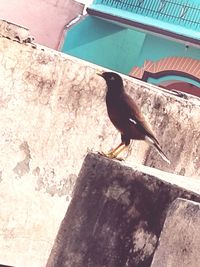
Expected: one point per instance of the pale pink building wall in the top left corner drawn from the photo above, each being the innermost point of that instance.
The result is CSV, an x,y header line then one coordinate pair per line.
x,y
44,18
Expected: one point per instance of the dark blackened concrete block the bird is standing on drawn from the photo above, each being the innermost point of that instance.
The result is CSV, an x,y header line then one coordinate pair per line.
x,y
115,217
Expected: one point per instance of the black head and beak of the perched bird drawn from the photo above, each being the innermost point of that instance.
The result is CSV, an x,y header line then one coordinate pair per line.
x,y
113,80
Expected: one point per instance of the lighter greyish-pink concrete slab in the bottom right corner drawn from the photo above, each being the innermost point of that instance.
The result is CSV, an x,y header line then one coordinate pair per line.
x,y
179,243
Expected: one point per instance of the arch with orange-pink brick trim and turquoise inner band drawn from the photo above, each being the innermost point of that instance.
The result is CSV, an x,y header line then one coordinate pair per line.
x,y
171,73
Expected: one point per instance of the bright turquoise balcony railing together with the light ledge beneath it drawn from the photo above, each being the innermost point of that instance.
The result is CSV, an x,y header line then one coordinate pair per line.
x,y
181,17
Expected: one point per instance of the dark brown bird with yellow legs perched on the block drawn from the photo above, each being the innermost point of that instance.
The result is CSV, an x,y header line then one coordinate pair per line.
x,y
126,116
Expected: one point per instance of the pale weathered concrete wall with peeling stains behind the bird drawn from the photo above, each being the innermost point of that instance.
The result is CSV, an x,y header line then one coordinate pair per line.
x,y
52,111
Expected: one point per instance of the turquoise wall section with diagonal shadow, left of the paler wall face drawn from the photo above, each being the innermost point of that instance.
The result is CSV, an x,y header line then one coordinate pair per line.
x,y
104,43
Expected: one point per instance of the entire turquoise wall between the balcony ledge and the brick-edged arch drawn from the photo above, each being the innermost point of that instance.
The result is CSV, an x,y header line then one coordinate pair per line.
x,y
119,48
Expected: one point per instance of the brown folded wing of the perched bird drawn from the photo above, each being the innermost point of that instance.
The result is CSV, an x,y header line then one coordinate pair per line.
x,y
137,118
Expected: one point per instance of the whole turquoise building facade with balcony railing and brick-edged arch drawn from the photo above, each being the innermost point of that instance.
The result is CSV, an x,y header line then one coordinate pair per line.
x,y
156,41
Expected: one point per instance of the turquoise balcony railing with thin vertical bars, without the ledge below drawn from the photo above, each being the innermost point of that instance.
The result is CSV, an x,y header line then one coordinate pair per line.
x,y
172,11
